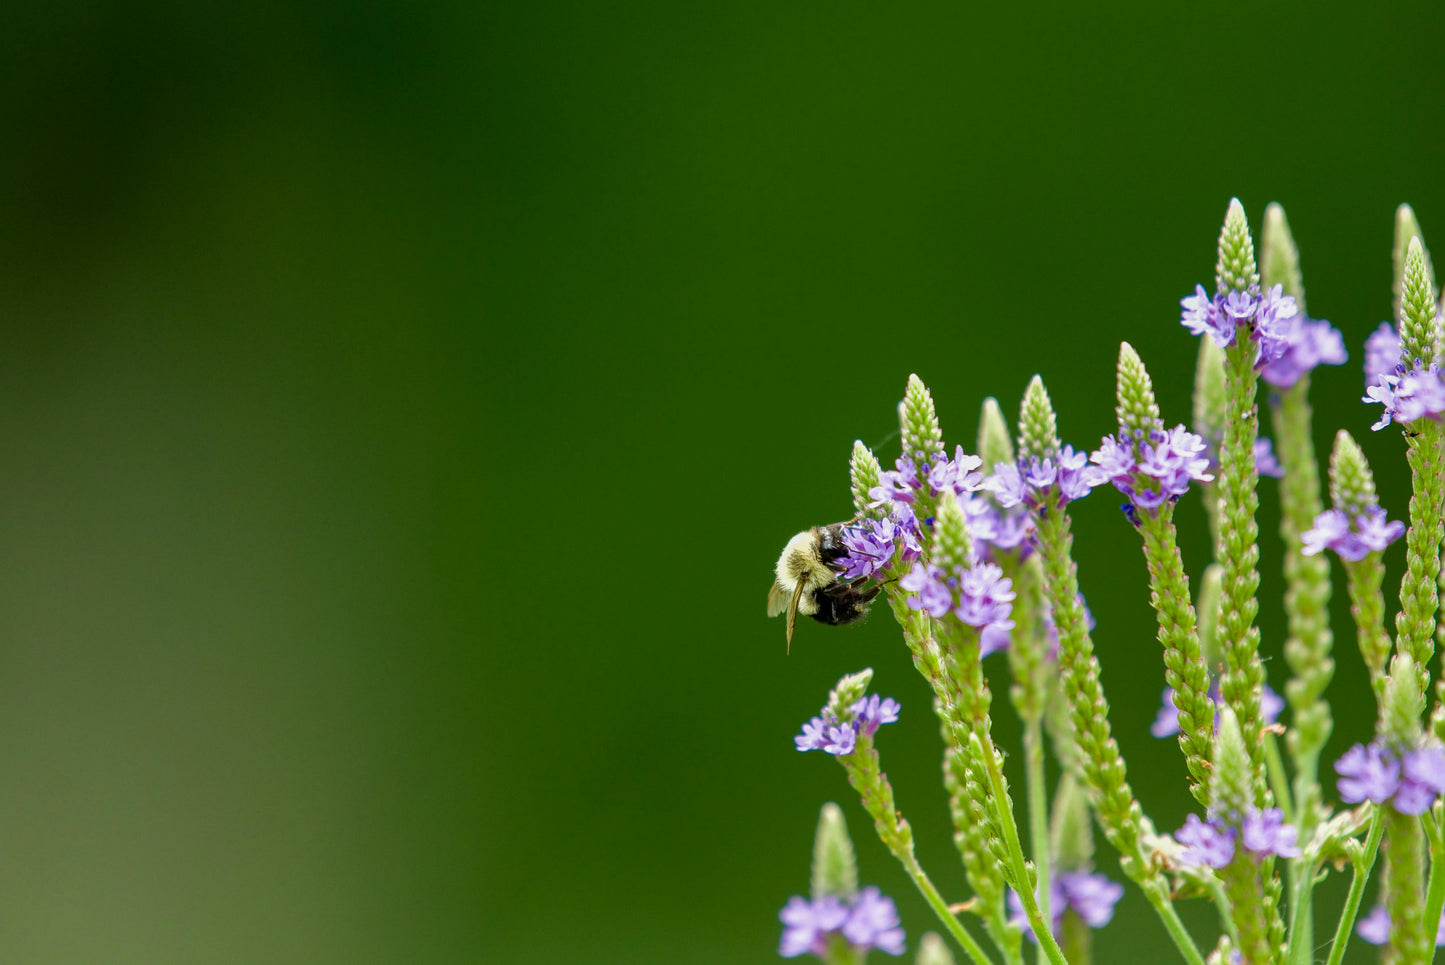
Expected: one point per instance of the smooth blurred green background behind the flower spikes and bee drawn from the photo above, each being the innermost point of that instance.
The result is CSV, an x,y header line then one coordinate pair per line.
x,y
404,405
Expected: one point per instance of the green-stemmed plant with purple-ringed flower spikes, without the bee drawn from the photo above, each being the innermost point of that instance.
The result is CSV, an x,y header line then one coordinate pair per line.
x,y
975,555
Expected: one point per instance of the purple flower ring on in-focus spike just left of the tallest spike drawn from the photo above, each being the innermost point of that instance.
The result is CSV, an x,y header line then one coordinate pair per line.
x,y
1154,469
